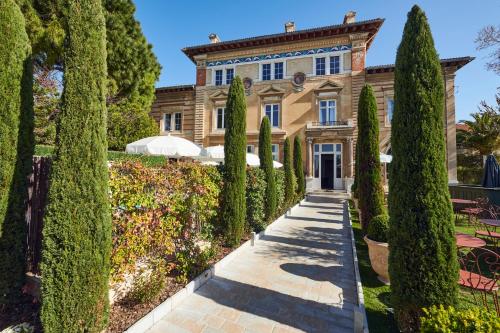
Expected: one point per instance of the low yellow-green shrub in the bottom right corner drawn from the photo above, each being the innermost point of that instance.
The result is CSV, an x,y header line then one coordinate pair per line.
x,y
475,320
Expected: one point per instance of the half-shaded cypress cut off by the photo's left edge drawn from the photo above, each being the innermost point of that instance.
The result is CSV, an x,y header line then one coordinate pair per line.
x,y
16,146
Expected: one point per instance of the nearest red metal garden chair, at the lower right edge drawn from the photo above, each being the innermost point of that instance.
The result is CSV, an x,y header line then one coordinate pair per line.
x,y
479,272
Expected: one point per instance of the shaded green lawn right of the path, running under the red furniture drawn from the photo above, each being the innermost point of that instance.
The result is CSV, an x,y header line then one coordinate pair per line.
x,y
377,294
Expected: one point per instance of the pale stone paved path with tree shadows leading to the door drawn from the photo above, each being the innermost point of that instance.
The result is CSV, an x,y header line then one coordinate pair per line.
x,y
298,278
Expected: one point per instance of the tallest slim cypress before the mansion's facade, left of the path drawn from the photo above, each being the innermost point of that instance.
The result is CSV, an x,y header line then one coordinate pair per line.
x,y
234,196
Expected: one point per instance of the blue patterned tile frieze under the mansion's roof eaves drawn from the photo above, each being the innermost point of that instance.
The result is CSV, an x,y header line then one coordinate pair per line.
x,y
263,57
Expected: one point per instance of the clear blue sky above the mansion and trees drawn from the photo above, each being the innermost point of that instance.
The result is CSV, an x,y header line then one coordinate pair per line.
x,y
171,25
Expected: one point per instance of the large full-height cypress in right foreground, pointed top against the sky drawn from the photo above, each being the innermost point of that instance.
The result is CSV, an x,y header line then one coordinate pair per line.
x,y
422,261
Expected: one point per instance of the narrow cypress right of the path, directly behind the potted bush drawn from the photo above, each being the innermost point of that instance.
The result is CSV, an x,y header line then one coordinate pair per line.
x,y
369,186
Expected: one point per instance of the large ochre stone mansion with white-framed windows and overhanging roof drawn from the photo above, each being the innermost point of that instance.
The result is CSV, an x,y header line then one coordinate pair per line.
x,y
308,83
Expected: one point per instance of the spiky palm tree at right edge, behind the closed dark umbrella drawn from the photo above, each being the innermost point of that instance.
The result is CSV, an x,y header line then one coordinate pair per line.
x,y
483,132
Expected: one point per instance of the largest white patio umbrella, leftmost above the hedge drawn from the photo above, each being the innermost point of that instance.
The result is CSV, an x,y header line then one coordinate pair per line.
x,y
167,145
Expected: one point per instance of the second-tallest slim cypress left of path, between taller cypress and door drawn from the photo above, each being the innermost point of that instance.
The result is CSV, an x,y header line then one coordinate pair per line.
x,y
266,164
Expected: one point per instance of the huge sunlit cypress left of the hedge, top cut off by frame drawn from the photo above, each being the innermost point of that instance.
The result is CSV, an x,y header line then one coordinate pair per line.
x,y
77,225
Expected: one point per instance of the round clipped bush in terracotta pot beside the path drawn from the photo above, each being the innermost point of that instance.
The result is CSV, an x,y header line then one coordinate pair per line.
x,y
378,249
